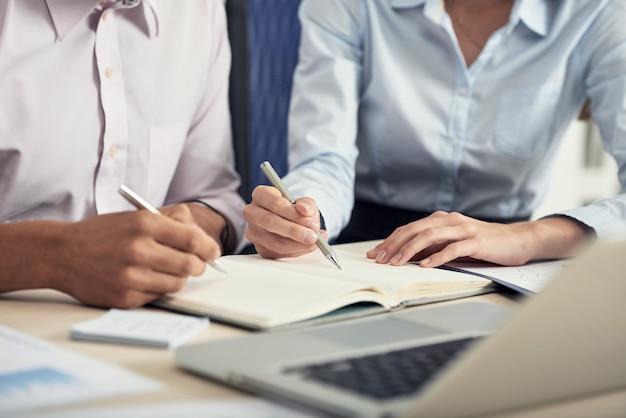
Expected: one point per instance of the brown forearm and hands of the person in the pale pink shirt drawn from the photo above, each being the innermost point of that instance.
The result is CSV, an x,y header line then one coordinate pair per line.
x,y
121,260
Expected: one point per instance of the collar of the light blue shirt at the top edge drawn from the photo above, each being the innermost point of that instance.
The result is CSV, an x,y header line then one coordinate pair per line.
x,y
535,14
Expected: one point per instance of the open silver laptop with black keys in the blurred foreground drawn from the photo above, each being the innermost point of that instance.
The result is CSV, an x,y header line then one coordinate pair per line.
x,y
460,358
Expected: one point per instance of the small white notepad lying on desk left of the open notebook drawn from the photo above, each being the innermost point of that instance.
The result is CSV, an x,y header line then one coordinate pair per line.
x,y
140,328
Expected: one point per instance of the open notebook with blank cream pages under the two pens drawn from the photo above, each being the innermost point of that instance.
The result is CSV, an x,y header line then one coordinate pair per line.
x,y
258,293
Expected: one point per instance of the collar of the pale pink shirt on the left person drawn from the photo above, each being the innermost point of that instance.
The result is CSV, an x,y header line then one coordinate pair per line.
x,y
66,14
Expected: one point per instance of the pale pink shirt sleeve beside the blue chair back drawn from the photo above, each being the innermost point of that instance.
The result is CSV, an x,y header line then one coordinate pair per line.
x,y
206,170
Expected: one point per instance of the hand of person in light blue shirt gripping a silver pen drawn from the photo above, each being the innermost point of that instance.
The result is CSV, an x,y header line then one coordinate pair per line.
x,y
279,229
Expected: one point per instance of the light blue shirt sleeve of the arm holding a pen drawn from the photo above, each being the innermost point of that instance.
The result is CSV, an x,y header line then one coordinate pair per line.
x,y
322,127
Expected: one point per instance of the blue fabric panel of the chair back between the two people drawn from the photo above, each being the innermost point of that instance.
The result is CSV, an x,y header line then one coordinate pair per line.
x,y
273,39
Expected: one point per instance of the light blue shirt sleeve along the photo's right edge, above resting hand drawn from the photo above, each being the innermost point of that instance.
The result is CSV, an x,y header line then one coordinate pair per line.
x,y
604,52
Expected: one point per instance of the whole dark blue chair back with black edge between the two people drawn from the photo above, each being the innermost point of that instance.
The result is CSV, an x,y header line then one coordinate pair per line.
x,y
264,36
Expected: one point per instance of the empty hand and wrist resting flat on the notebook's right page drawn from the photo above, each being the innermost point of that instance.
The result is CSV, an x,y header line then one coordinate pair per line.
x,y
443,237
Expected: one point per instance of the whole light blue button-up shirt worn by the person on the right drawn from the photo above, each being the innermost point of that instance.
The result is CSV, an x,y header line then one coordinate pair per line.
x,y
385,108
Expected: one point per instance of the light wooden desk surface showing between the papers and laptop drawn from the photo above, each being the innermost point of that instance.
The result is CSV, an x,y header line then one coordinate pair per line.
x,y
50,315
